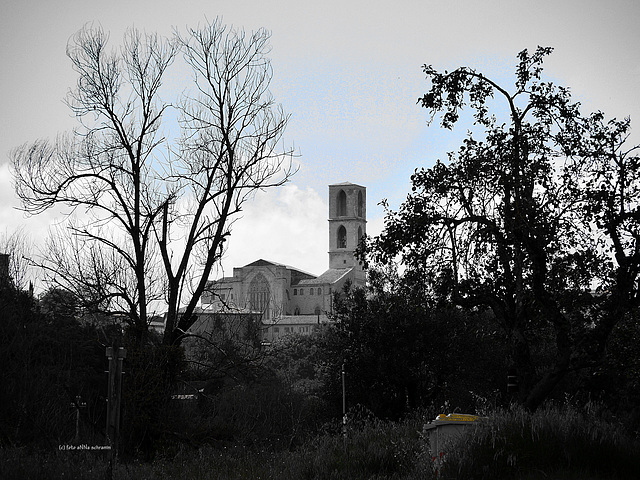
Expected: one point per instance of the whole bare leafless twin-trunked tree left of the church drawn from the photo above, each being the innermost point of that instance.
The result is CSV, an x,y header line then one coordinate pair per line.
x,y
150,214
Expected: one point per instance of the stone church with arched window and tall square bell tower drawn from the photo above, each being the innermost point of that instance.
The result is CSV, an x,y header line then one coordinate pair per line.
x,y
286,299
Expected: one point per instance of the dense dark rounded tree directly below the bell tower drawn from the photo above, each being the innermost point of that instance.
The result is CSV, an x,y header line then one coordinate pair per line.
x,y
401,351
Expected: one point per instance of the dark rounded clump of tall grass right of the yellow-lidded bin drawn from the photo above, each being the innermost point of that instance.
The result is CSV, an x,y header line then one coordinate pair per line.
x,y
550,443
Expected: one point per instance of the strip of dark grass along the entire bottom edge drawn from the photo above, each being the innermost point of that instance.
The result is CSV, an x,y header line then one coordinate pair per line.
x,y
553,443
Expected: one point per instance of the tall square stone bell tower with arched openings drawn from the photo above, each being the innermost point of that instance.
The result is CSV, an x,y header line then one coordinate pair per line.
x,y
347,224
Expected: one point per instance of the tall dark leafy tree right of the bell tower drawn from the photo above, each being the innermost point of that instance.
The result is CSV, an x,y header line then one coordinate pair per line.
x,y
520,221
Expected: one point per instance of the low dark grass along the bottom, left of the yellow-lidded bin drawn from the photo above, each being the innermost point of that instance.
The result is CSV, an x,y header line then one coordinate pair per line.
x,y
374,450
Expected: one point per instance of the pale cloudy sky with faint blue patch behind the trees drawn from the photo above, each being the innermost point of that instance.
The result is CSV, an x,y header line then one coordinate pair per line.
x,y
349,72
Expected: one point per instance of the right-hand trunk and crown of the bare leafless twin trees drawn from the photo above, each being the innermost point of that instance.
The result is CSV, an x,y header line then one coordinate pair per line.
x,y
230,150
